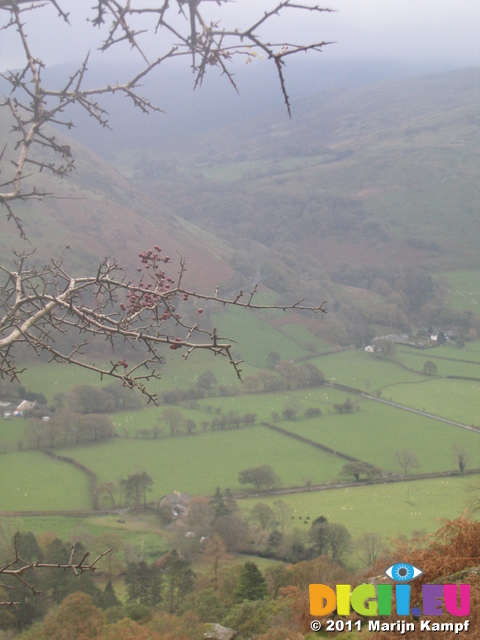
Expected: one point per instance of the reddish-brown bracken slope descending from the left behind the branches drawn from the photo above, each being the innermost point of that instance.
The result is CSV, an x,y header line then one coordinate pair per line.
x,y
97,213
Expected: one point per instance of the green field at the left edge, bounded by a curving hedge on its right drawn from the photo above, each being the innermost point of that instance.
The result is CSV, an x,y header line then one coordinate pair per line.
x,y
30,481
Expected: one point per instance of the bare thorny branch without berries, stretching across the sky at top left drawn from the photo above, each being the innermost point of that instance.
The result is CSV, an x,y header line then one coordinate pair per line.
x,y
33,104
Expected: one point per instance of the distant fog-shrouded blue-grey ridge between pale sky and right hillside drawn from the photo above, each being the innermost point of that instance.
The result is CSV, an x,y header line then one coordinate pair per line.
x,y
189,111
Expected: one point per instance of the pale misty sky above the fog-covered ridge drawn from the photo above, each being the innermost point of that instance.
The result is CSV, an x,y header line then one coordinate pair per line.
x,y
442,30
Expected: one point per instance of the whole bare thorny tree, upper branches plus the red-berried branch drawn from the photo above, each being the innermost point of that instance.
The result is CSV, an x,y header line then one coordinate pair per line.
x,y
41,304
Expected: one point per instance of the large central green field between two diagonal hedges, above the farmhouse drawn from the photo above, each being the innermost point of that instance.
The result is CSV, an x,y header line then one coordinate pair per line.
x,y
199,463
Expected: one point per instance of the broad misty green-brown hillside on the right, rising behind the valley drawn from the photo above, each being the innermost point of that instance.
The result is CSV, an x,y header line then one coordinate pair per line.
x,y
386,174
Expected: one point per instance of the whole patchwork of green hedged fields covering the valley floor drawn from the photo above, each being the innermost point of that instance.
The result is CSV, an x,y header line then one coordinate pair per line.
x,y
200,462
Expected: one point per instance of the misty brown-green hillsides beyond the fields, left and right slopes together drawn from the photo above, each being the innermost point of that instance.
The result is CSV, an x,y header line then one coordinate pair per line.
x,y
367,198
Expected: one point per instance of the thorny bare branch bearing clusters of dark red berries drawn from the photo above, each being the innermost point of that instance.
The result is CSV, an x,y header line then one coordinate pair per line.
x,y
41,305
